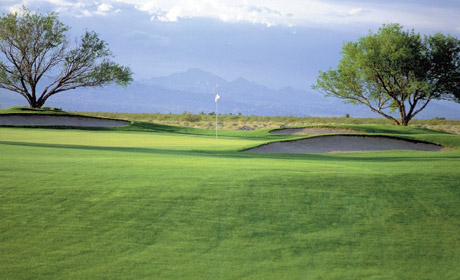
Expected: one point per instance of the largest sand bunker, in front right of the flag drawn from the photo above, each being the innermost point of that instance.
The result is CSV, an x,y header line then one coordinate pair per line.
x,y
344,144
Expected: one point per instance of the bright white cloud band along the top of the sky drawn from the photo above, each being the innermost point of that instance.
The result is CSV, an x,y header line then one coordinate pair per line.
x,y
331,13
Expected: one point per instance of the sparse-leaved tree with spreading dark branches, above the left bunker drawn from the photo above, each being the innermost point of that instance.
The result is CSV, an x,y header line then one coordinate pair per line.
x,y
37,61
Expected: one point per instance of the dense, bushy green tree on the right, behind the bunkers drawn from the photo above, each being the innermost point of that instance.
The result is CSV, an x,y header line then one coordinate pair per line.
x,y
395,70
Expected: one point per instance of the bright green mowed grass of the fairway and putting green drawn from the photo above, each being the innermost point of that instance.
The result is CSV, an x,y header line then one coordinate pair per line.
x,y
157,202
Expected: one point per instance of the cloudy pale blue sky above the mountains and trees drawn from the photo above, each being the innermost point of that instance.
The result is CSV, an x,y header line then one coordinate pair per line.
x,y
272,42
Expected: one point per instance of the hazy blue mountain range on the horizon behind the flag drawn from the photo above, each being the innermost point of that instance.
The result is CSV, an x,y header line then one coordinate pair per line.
x,y
194,91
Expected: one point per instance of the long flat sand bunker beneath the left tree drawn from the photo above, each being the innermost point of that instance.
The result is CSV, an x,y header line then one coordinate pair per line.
x,y
56,120
